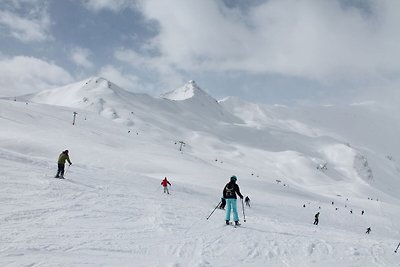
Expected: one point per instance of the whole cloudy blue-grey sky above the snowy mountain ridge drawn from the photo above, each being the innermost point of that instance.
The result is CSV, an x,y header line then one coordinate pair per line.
x,y
268,51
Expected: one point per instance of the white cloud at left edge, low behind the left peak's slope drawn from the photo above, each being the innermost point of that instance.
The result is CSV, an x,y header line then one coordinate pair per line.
x,y
22,75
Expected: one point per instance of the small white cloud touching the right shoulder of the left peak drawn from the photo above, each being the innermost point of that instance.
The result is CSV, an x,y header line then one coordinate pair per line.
x,y
125,81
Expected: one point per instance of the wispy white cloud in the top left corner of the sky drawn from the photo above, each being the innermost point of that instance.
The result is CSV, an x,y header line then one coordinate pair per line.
x,y
30,24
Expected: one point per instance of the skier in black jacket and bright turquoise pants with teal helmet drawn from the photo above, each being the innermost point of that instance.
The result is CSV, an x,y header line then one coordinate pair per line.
x,y
229,193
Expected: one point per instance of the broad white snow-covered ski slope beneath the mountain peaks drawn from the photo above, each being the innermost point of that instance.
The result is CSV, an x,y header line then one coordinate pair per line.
x,y
111,210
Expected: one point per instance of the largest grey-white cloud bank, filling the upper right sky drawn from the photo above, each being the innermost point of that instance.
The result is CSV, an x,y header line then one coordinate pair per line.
x,y
322,40
